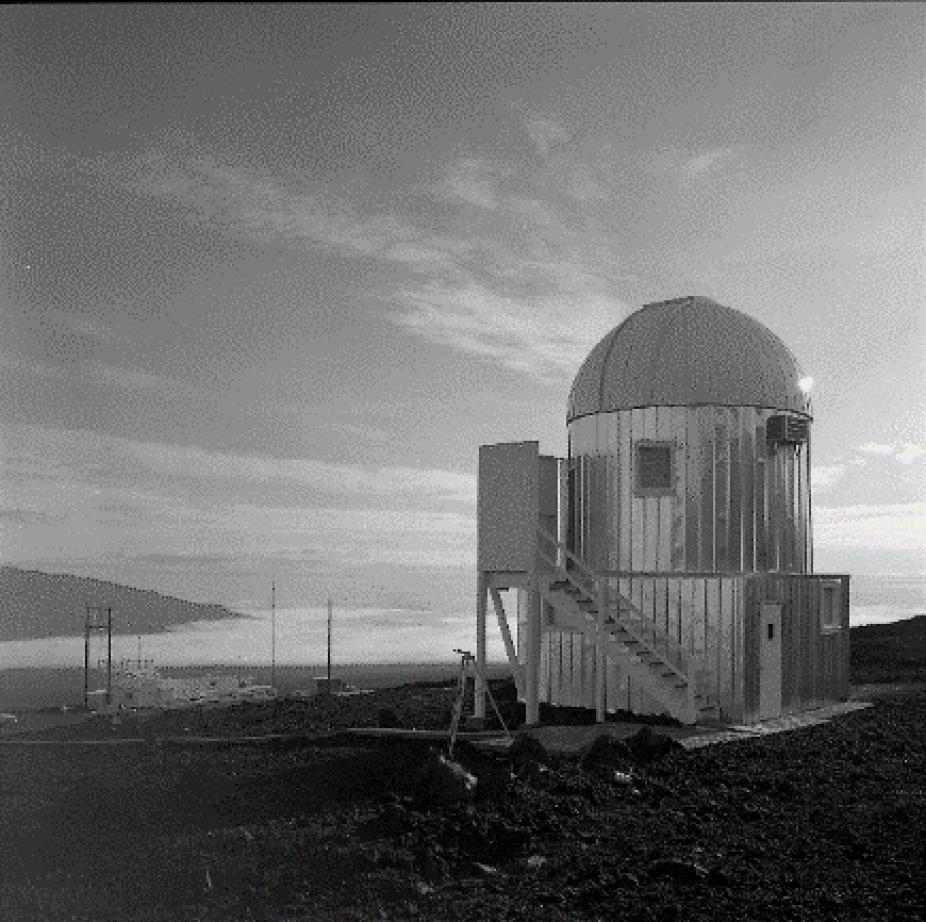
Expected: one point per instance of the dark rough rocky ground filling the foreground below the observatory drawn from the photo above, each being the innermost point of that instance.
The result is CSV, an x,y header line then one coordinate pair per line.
x,y
821,823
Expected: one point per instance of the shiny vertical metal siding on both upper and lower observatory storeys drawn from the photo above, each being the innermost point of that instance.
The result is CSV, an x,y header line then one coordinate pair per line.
x,y
737,505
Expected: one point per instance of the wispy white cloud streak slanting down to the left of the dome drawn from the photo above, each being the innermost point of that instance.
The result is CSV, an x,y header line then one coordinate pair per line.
x,y
516,289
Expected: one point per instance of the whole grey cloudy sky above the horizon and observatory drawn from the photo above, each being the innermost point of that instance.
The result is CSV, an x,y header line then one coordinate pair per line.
x,y
270,275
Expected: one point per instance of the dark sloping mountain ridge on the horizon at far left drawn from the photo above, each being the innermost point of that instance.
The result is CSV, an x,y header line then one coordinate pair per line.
x,y
34,604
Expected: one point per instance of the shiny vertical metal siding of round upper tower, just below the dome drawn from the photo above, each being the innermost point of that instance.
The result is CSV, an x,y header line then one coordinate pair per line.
x,y
737,504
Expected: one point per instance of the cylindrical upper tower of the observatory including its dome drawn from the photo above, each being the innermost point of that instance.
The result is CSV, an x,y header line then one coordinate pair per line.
x,y
689,446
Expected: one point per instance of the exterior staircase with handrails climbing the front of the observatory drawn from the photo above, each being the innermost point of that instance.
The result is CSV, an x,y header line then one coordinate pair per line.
x,y
636,644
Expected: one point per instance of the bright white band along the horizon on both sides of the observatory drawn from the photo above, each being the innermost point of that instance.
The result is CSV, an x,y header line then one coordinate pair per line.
x,y
368,635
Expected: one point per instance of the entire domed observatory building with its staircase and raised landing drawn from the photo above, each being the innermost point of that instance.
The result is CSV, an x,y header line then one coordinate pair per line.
x,y
666,565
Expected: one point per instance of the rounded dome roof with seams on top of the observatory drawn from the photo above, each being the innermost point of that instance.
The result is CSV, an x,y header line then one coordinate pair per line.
x,y
687,352
